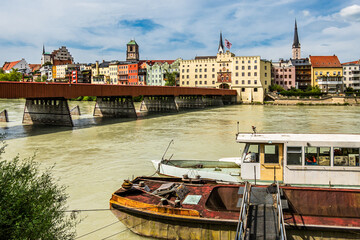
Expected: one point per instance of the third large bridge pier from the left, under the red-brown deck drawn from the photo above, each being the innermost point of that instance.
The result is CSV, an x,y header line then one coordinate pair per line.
x,y
159,104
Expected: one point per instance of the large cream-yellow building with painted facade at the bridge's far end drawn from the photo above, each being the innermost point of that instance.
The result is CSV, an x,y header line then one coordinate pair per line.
x,y
249,75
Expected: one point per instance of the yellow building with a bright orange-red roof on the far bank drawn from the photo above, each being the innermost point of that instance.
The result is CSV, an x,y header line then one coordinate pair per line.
x,y
326,73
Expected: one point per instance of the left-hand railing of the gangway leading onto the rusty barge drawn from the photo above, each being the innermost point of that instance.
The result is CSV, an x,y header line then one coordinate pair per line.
x,y
244,211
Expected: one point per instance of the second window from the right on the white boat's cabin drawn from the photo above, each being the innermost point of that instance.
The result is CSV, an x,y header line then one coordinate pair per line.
x,y
317,156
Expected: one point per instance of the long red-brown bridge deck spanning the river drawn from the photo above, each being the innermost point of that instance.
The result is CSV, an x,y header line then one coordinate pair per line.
x,y
68,91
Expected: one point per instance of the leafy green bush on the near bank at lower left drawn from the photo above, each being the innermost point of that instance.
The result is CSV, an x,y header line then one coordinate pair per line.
x,y
32,205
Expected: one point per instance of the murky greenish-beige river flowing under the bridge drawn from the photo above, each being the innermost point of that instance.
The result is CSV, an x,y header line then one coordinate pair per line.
x,y
95,156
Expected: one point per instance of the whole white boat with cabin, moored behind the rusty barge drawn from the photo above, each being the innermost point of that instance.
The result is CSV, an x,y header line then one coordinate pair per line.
x,y
330,160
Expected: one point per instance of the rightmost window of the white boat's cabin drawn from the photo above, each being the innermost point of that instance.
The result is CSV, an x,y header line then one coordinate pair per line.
x,y
346,156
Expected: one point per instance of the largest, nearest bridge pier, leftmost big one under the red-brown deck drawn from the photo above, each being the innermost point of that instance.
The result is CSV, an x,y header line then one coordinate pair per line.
x,y
47,111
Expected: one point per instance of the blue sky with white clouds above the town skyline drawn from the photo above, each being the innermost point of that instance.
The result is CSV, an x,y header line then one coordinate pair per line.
x,y
168,29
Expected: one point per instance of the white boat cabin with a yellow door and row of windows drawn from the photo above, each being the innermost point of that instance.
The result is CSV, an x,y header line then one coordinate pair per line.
x,y
301,159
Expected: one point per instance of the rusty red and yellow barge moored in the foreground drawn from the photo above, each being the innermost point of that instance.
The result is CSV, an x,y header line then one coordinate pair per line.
x,y
175,208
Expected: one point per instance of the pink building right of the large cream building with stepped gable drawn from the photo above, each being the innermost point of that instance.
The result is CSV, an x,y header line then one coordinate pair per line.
x,y
283,74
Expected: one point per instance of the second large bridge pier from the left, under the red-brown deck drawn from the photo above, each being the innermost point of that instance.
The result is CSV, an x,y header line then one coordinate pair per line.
x,y
115,107
